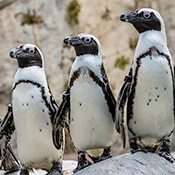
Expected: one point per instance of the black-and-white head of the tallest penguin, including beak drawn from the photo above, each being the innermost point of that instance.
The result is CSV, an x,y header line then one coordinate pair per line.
x,y
144,19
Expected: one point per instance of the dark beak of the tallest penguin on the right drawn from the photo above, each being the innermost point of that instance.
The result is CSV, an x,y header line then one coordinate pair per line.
x,y
130,17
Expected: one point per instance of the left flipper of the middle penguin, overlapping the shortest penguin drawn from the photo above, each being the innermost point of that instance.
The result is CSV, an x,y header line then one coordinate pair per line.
x,y
60,120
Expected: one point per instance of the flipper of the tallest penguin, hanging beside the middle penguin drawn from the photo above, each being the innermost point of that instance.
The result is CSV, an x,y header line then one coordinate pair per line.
x,y
121,101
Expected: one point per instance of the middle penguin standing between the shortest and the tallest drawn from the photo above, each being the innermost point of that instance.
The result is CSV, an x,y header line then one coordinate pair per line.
x,y
90,102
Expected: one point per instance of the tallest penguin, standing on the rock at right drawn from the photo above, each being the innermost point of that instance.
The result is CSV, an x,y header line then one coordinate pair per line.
x,y
148,89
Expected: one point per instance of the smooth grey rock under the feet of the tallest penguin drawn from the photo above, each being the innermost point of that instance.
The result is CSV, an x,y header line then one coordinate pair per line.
x,y
137,164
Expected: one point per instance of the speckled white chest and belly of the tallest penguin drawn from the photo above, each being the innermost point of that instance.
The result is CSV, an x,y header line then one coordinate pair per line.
x,y
153,114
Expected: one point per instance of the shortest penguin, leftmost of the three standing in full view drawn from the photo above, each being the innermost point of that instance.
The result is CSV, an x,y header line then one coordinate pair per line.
x,y
34,110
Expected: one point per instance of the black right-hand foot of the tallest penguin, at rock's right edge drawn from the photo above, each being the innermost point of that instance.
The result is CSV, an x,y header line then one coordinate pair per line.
x,y
165,151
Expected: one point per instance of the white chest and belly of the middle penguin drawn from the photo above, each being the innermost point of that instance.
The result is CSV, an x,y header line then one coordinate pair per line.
x,y
91,124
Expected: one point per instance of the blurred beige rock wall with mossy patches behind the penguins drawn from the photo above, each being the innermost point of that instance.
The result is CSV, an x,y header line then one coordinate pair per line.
x,y
46,23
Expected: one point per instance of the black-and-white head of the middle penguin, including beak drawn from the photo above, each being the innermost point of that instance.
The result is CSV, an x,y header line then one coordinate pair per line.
x,y
84,44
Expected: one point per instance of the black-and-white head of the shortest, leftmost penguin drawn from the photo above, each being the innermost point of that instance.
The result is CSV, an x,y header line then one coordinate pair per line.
x,y
27,55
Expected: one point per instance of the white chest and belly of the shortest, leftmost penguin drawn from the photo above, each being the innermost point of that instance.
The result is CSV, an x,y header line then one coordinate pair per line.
x,y
33,125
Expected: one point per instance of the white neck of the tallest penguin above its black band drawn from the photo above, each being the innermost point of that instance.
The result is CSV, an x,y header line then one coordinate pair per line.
x,y
151,39
